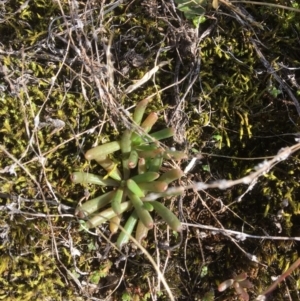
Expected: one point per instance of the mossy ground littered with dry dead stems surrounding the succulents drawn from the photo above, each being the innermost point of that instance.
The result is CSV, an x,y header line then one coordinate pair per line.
x,y
69,72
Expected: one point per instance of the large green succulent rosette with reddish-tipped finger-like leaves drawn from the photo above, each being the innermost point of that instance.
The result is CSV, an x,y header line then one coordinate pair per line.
x,y
141,160
